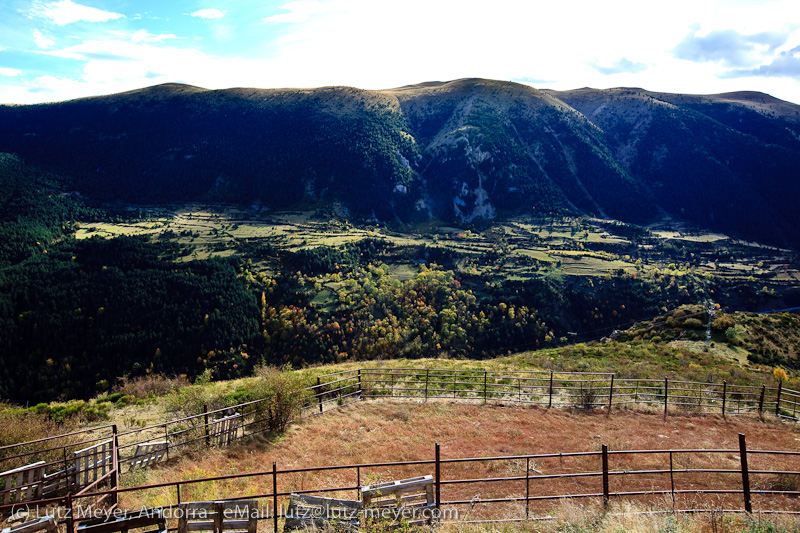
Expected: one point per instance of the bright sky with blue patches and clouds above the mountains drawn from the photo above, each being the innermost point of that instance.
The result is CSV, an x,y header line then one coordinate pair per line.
x,y
54,50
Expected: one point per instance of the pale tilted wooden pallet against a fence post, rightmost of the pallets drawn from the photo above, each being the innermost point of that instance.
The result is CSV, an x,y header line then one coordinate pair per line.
x,y
407,501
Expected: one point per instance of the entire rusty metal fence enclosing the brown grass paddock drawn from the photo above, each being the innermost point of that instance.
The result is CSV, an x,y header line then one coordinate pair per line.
x,y
56,472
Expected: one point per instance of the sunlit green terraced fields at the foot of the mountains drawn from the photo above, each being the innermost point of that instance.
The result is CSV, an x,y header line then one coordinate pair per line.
x,y
521,248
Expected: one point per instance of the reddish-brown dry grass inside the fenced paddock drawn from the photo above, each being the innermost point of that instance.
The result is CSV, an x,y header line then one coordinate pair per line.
x,y
390,431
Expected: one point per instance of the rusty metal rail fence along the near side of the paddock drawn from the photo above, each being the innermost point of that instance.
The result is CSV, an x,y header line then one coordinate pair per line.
x,y
504,488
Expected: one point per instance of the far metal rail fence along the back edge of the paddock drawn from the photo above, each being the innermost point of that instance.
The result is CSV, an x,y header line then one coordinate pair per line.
x,y
579,390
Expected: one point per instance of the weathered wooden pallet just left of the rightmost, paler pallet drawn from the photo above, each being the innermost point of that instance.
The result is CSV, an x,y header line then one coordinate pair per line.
x,y
306,511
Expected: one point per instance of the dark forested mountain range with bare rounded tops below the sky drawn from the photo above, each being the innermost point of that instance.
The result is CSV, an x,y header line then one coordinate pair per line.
x,y
463,150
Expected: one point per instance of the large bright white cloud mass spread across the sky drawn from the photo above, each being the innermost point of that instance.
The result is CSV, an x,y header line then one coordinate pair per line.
x,y
374,45
